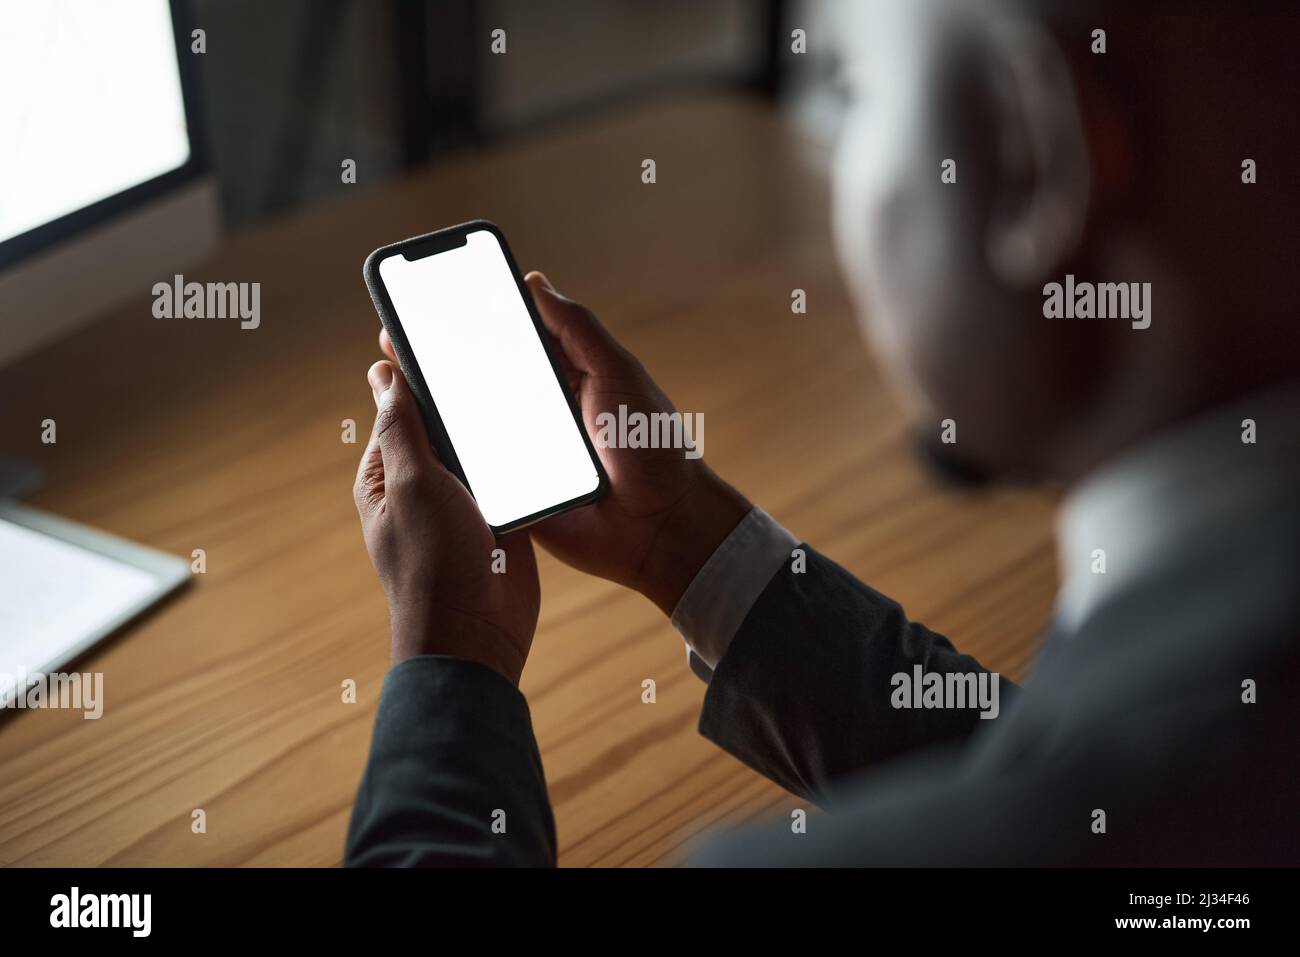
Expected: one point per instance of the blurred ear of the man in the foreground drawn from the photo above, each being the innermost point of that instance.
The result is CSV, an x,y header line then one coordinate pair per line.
x,y
1042,166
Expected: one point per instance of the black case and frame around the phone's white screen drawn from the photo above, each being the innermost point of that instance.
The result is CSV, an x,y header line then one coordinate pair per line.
x,y
430,245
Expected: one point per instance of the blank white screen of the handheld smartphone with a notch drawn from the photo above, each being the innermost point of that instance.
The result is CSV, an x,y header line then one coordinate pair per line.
x,y
483,361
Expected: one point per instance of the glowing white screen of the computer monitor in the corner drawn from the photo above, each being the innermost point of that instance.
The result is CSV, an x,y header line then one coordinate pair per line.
x,y
93,106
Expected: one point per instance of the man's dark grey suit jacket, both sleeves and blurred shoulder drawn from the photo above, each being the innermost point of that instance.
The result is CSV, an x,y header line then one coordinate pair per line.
x,y
1138,714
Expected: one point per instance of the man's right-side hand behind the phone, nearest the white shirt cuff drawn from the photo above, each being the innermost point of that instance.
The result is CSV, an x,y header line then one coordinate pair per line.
x,y
665,514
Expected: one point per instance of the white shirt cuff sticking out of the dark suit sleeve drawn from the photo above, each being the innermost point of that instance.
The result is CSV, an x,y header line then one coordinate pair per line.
x,y
713,608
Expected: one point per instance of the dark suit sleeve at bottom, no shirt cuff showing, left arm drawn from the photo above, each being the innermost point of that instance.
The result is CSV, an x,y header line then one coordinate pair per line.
x,y
453,755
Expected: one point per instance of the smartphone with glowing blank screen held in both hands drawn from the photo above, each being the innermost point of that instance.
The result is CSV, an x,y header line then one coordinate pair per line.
x,y
480,363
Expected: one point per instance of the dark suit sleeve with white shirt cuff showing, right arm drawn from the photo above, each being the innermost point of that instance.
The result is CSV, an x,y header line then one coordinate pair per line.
x,y
803,694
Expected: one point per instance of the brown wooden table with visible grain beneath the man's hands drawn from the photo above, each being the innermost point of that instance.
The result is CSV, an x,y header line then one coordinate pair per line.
x,y
188,435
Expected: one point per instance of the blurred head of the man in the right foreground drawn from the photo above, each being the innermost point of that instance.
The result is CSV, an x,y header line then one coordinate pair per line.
x,y
996,151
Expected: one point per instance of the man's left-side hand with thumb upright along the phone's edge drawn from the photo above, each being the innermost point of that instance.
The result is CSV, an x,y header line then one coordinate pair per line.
x,y
432,549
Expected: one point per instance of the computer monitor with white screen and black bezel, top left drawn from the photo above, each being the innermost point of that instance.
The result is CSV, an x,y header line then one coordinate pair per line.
x,y
103,183
